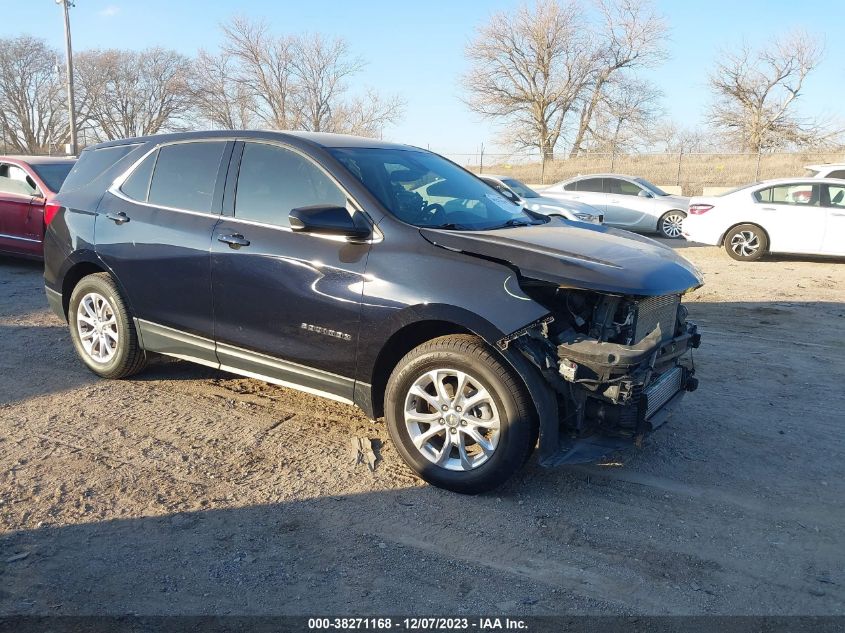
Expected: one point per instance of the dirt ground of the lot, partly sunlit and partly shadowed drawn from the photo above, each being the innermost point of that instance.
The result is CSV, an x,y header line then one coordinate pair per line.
x,y
190,491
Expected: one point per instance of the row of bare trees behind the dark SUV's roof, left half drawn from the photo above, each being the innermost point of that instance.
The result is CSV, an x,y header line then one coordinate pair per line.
x,y
255,79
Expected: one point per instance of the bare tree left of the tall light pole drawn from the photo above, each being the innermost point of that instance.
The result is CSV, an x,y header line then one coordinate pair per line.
x,y
33,115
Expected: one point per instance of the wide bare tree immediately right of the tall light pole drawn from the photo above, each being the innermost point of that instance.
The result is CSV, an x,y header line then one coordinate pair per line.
x,y
133,93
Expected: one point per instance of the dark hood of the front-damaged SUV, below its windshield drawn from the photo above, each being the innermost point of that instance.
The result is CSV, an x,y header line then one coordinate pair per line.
x,y
590,257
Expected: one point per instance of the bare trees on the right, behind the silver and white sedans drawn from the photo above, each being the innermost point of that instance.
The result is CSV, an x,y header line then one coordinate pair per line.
x,y
570,75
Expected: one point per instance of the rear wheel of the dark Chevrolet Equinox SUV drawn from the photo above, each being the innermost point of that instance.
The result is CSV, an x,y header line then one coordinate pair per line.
x,y
102,328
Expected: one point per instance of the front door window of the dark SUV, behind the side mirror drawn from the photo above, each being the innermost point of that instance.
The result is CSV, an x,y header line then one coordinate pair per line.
x,y
272,181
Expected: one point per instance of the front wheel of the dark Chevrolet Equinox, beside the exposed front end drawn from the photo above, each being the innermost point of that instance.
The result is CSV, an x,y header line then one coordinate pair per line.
x,y
458,415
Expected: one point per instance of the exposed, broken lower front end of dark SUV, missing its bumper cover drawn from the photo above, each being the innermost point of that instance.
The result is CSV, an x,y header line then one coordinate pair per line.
x,y
606,396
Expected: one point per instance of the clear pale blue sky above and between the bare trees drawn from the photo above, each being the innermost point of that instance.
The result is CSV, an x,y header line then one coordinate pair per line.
x,y
416,48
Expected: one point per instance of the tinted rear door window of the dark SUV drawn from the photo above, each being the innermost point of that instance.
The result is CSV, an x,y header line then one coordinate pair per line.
x,y
185,175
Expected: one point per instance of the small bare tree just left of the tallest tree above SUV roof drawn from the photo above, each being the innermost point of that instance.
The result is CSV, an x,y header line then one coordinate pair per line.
x,y
218,99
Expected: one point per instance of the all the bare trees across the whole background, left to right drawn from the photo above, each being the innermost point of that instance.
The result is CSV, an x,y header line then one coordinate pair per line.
x,y
558,76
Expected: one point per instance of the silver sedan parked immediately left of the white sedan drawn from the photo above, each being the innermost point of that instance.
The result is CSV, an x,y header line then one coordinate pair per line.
x,y
626,202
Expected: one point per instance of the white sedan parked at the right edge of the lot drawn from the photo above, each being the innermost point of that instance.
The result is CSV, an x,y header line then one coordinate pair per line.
x,y
767,217
